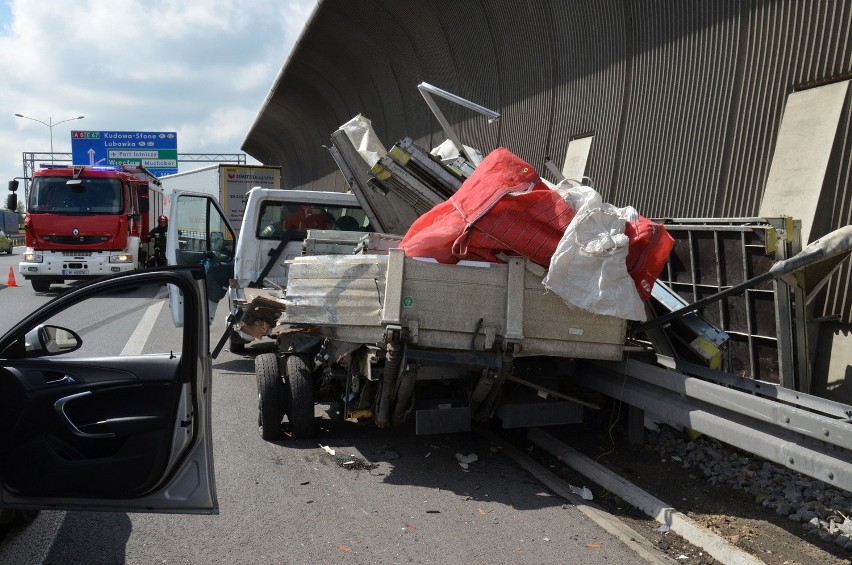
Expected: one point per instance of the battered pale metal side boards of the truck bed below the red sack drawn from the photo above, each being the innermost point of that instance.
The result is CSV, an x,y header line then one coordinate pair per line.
x,y
469,306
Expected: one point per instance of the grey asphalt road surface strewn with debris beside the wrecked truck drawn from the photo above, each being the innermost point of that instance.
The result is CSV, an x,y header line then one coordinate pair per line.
x,y
385,496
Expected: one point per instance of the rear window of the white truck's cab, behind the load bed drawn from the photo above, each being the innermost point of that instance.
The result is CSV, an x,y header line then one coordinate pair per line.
x,y
277,217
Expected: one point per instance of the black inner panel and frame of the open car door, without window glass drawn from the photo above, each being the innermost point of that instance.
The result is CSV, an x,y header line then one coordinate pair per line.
x,y
120,432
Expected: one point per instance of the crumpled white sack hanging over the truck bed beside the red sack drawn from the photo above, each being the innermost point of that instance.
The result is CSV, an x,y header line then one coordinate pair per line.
x,y
588,269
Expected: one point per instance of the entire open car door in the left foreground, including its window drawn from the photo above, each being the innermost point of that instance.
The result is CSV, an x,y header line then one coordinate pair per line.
x,y
105,405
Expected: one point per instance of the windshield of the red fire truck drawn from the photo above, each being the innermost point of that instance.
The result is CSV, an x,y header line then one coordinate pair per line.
x,y
61,195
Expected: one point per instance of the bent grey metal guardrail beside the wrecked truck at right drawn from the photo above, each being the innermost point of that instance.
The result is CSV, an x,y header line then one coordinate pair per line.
x,y
804,433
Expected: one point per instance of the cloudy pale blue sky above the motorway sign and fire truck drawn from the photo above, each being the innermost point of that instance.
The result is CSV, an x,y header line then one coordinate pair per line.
x,y
201,68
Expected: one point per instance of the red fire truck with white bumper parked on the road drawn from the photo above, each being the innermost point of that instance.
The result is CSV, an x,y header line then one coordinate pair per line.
x,y
87,222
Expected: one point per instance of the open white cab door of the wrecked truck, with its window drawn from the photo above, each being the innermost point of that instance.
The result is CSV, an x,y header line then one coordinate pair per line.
x,y
200,234
